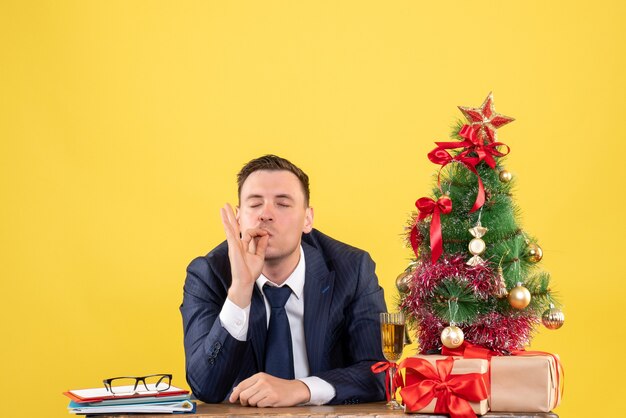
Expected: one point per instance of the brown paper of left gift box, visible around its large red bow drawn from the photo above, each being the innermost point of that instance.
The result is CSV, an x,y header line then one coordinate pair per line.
x,y
460,366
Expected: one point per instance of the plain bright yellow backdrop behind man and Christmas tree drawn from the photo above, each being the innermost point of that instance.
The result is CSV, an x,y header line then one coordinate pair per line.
x,y
123,124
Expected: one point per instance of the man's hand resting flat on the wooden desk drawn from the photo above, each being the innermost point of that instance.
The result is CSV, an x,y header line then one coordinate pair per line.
x,y
265,390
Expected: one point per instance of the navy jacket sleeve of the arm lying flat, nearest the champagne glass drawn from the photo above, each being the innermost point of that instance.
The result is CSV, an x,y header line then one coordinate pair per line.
x,y
355,382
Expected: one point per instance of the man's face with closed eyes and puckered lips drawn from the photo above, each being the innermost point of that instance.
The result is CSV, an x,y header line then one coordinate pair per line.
x,y
273,200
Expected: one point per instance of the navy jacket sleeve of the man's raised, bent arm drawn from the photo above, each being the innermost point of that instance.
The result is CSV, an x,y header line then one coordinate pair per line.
x,y
211,353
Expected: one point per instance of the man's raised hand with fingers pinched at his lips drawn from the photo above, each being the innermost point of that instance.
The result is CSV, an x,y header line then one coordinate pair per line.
x,y
246,253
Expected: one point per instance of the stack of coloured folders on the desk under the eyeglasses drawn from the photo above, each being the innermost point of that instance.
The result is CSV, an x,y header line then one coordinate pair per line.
x,y
101,401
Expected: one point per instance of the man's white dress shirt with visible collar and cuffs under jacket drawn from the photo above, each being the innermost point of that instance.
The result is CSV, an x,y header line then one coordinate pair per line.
x,y
235,320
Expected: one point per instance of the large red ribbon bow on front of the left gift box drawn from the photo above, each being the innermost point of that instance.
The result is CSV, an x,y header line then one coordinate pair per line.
x,y
453,392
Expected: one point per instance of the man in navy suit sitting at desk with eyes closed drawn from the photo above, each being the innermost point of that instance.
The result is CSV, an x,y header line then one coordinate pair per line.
x,y
317,344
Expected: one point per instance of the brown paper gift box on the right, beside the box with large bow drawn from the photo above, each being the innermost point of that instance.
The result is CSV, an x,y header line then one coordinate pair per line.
x,y
528,383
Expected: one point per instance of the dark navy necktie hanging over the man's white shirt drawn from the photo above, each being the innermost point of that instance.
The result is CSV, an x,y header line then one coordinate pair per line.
x,y
278,349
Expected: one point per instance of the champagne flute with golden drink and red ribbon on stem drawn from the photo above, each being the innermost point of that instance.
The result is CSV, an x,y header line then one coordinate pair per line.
x,y
392,337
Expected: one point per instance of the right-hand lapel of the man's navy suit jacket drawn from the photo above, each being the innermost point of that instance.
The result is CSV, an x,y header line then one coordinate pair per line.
x,y
318,292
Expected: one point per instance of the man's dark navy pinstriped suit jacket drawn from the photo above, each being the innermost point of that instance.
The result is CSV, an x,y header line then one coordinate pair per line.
x,y
342,302
